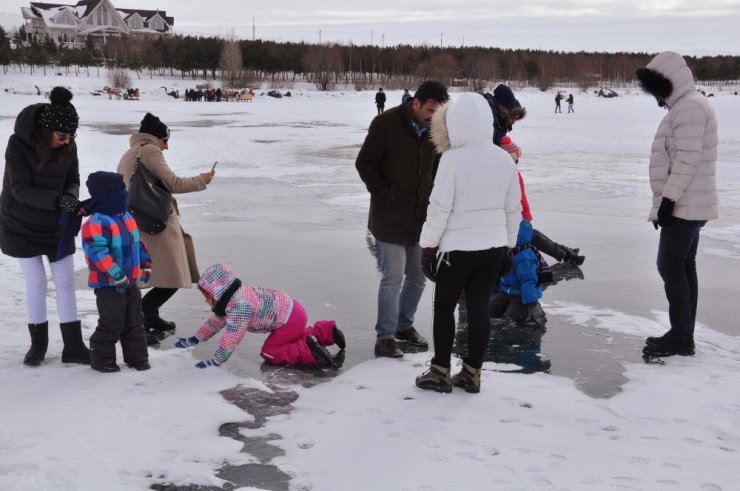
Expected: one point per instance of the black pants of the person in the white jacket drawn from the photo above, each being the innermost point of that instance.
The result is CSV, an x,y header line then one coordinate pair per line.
x,y
474,272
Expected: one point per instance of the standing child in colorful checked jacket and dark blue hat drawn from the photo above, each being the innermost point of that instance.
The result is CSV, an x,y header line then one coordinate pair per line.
x,y
117,260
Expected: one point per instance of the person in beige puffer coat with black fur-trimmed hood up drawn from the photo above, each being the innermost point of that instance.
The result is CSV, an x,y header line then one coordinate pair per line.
x,y
682,177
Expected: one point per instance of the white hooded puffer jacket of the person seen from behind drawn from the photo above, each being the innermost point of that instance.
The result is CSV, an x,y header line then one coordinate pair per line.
x,y
475,203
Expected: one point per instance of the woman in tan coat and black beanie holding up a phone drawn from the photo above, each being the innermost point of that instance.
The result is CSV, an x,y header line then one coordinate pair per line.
x,y
172,250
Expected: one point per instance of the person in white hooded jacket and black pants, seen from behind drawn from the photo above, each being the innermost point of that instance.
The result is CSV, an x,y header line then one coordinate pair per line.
x,y
473,215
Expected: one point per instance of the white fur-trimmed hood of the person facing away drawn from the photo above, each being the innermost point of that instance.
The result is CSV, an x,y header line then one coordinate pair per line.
x,y
462,122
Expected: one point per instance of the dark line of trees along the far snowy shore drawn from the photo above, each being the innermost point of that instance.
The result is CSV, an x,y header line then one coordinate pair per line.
x,y
246,62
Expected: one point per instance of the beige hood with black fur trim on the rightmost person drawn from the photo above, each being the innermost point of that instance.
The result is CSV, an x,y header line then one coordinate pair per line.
x,y
667,77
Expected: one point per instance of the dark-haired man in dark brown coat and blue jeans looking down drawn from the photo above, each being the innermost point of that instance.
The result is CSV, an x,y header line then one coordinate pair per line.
x,y
397,163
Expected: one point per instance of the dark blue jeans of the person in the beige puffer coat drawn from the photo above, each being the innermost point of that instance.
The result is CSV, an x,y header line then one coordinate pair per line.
x,y
677,267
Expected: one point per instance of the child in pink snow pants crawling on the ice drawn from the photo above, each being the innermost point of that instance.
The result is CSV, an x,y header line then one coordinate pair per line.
x,y
240,308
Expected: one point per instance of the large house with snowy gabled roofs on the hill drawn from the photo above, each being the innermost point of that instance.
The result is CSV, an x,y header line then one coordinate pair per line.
x,y
72,25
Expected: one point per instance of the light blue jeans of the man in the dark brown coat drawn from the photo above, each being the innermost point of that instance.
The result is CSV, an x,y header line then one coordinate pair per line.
x,y
401,286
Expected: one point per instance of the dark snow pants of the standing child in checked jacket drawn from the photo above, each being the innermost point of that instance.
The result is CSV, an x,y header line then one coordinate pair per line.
x,y
120,320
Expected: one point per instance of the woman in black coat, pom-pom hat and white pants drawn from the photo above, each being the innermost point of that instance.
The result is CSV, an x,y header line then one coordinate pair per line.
x,y
40,182
